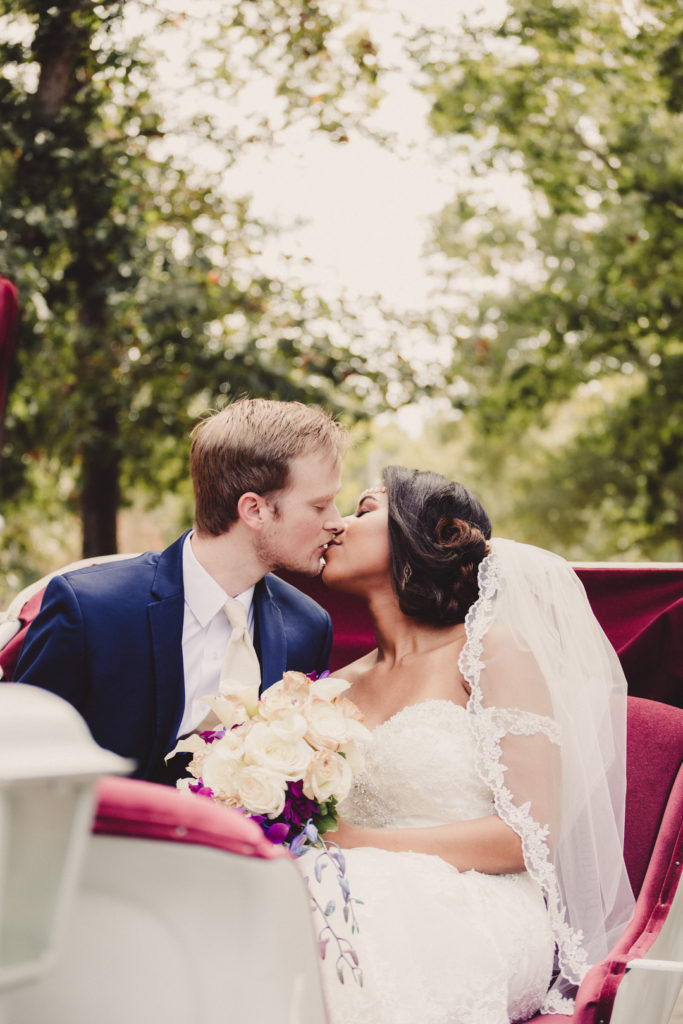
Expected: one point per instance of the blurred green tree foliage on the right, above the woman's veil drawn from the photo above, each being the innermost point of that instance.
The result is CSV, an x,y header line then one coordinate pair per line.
x,y
580,104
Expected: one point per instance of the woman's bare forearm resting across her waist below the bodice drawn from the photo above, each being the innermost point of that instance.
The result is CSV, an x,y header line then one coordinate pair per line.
x,y
484,844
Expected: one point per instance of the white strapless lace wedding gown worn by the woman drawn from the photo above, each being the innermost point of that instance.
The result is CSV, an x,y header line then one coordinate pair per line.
x,y
436,946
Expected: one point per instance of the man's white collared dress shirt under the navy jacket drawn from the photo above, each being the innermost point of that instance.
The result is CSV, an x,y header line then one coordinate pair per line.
x,y
206,631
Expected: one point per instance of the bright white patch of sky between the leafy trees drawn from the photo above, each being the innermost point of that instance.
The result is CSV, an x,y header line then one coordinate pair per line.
x,y
356,216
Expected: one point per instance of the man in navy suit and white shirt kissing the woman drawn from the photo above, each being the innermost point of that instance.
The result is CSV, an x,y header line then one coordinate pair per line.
x,y
135,645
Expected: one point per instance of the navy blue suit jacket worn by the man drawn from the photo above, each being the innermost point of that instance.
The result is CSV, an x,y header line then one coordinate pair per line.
x,y
109,639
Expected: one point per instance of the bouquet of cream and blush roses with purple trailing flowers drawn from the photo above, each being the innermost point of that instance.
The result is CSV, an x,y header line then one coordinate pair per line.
x,y
286,759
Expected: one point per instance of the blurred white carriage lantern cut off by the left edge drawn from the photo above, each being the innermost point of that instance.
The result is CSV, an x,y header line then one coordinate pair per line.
x,y
50,765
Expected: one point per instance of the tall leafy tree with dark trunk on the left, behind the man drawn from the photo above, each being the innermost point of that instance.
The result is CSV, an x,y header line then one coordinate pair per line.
x,y
142,307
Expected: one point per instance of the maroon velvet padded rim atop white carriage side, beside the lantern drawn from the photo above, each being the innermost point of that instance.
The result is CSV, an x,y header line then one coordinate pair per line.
x,y
148,810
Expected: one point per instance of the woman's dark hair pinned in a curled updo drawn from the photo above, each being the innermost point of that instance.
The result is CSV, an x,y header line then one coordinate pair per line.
x,y
438,537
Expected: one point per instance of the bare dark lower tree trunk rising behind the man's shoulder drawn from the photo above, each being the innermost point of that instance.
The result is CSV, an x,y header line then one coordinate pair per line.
x,y
100,488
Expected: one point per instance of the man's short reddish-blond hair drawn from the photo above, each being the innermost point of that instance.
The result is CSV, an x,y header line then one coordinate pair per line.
x,y
248,446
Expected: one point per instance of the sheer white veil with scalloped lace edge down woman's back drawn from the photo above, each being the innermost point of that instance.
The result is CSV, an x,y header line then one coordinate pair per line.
x,y
548,712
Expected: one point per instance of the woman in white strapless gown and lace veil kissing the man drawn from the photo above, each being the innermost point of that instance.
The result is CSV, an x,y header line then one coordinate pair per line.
x,y
484,837
